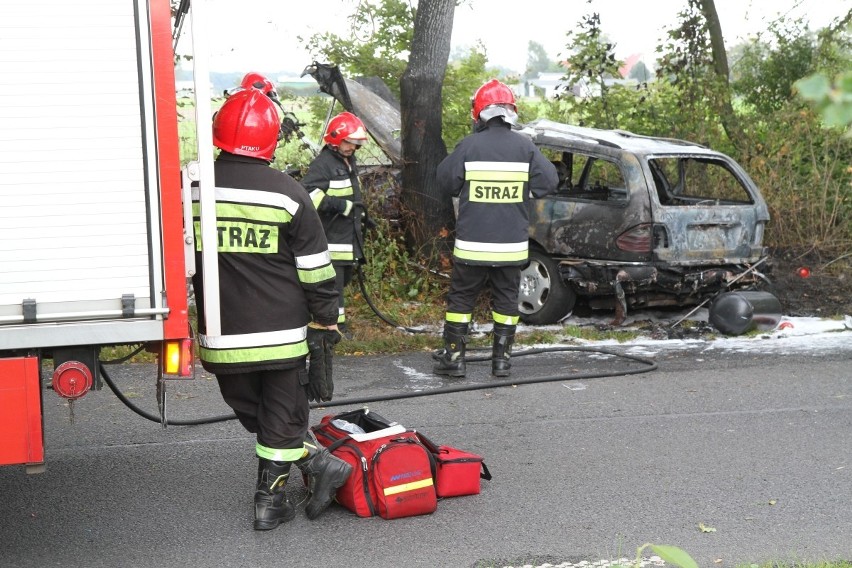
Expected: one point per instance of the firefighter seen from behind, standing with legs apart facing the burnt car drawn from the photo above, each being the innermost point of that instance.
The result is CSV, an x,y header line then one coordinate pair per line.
x,y
493,172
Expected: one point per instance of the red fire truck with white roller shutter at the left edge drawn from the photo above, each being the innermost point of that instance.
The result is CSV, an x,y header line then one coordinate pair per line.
x,y
95,243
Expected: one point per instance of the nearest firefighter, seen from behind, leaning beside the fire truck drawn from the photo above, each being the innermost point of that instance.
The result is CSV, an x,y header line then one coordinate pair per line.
x,y
275,276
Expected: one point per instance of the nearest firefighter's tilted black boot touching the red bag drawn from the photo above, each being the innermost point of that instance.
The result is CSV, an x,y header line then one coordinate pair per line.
x,y
325,474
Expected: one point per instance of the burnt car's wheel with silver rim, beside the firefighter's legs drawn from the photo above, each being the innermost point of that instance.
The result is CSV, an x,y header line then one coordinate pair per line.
x,y
543,297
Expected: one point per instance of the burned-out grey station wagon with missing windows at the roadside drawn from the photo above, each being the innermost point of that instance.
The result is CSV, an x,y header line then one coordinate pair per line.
x,y
637,222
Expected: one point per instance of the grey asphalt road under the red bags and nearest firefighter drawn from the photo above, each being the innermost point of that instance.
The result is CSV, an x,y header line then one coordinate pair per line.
x,y
753,443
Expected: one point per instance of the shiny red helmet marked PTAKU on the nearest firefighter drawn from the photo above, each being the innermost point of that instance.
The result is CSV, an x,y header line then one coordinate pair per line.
x,y
247,124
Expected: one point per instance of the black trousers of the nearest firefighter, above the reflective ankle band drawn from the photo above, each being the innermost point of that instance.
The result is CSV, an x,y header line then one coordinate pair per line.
x,y
271,404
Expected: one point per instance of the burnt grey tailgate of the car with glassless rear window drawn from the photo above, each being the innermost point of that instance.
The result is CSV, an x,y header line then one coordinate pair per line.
x,y
709,210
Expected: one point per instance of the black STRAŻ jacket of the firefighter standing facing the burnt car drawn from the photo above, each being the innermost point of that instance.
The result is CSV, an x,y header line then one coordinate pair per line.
x,y
493,172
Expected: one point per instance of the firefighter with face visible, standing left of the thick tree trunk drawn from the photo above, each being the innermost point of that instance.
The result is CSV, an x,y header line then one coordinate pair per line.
x,y
332,182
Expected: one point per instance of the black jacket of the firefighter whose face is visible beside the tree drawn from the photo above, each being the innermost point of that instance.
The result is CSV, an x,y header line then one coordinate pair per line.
x,y
336,193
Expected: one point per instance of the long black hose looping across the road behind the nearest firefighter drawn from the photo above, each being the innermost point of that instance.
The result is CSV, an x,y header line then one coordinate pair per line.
x,y
650,365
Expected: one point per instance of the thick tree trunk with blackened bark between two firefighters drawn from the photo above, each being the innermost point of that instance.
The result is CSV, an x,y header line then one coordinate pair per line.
x,y
422,144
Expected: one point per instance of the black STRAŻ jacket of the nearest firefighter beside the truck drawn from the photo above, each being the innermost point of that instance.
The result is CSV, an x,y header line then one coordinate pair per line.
x,y
275,273
